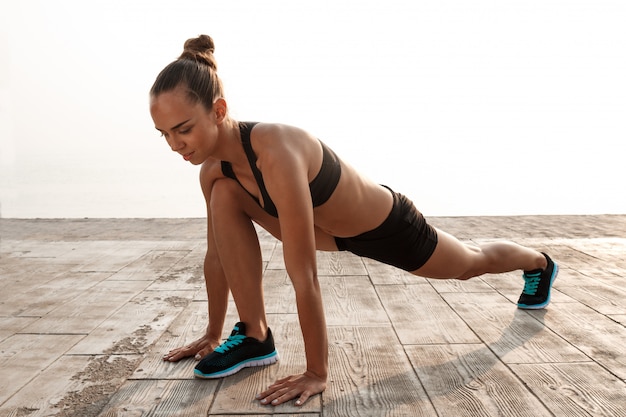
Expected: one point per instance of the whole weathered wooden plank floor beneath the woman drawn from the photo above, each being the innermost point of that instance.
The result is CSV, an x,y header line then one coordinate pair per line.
x,y
88,307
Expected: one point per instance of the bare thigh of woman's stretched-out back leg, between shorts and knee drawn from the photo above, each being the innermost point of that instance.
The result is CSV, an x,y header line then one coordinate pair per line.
x,y
451,259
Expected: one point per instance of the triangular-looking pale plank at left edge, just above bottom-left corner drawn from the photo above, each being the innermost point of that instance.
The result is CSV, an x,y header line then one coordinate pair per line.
x,y
23,356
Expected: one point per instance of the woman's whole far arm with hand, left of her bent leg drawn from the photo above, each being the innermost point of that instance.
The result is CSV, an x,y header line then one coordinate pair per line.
x,y
215,281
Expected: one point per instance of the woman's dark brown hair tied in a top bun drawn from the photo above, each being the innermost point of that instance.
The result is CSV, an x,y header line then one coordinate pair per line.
x,y
195,71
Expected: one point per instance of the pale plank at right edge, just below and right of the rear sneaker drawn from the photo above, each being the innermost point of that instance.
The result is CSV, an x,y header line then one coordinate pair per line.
x,y
599,337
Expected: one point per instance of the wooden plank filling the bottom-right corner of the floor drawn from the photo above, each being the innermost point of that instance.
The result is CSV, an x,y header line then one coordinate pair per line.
x,y
577,389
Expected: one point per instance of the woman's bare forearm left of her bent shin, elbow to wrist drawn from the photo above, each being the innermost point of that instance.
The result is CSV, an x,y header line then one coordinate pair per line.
x,y
217,293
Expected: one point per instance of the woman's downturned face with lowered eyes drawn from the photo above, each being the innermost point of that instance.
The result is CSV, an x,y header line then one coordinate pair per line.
x,y
188,128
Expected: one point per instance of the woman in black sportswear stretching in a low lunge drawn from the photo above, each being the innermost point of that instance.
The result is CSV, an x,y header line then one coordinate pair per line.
x,y
296,188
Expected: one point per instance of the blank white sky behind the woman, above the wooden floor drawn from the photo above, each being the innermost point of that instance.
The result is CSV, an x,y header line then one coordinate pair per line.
x,y
468,107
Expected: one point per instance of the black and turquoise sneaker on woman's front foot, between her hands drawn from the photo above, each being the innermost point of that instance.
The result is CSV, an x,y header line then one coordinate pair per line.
x,y
237,352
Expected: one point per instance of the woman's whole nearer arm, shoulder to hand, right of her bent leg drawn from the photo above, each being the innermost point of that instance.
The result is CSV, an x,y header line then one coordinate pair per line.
x,y
285,172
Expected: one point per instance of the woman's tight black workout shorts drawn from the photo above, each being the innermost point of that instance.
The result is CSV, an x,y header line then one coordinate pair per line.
x,y
403,240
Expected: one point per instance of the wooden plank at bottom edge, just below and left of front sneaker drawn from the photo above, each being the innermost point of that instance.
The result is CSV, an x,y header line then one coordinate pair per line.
x,y
181,398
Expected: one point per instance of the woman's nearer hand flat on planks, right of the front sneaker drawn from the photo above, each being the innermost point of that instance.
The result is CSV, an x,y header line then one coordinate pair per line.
x,y
304,385
